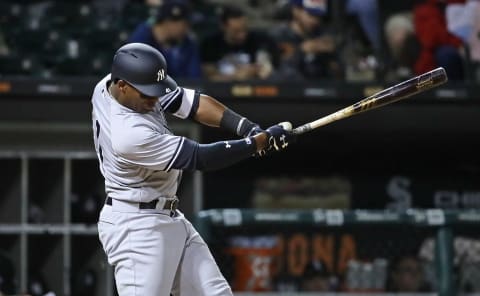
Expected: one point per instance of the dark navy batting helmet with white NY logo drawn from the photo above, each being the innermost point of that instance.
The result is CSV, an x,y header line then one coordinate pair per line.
x,y
143,67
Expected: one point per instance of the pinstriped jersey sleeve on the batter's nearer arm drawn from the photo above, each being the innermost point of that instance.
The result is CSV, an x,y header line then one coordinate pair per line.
x,y
148,148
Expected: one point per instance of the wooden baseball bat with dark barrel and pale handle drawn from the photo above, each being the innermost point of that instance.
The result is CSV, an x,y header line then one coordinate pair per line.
x,y
387,96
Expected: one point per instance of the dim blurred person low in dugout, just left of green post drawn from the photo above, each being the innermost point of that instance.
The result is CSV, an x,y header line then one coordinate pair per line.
x,y
406,275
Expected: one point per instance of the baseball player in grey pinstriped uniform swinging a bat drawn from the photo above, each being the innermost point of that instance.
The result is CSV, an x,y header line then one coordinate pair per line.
x,y
154,249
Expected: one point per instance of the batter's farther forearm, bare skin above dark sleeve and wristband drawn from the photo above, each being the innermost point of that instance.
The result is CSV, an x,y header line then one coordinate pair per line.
x,y
213,113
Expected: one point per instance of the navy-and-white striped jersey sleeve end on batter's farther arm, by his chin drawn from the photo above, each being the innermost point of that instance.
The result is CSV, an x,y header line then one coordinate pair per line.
x,y
182,102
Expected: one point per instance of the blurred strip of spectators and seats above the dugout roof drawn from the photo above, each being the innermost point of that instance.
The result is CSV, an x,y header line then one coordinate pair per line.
x,y
353,40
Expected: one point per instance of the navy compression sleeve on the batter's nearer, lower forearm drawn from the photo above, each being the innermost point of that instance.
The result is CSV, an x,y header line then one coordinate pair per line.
x,y
195,156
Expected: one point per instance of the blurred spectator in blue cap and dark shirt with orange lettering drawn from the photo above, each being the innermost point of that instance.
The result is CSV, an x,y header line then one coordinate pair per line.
x,y
307,45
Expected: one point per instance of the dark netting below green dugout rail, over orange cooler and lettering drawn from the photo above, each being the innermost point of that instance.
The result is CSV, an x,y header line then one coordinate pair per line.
x,y
361,258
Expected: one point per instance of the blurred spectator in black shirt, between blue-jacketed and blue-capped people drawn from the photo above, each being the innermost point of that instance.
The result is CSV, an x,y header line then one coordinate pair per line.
x,y
236,53
